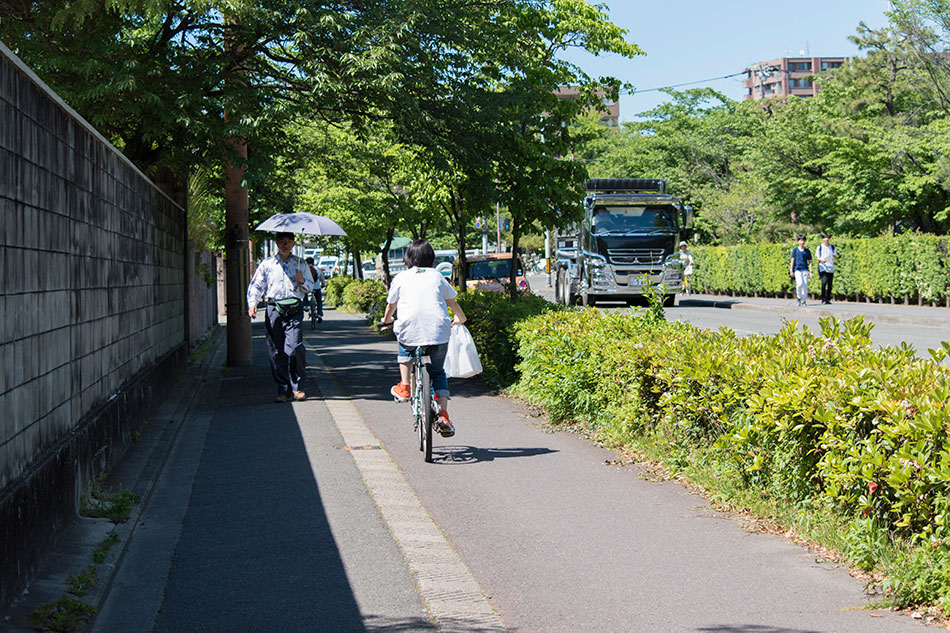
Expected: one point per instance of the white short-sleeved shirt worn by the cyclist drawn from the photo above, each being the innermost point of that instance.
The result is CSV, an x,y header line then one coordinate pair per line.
x,y
422,317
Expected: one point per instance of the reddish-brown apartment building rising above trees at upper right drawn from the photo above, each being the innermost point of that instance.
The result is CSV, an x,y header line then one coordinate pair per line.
x,y
787,76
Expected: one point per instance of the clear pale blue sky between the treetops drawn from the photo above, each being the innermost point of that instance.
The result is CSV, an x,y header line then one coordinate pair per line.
x,y
692,40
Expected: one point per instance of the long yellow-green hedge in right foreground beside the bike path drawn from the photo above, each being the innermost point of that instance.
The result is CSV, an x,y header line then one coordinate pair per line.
x,y
821,420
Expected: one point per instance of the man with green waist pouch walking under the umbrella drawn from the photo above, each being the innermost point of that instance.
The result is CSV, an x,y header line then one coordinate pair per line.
x,y
283,281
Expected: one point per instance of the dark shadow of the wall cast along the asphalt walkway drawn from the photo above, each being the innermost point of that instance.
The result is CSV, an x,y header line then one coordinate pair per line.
x,y
256,551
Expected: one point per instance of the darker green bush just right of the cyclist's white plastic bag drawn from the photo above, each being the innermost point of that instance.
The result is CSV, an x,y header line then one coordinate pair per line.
x,y
492,319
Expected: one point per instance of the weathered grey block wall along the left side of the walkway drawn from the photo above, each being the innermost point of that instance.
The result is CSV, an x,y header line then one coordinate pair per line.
x,y
93,267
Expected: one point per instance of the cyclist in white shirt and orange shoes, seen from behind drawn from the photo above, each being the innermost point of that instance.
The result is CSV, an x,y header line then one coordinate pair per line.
x,y
421,295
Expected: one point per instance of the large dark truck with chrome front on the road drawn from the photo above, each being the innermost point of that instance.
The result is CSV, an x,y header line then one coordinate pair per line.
x,y
628,241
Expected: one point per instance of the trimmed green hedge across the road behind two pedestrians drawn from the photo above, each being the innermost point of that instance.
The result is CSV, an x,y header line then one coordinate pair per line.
x,y
909,267
